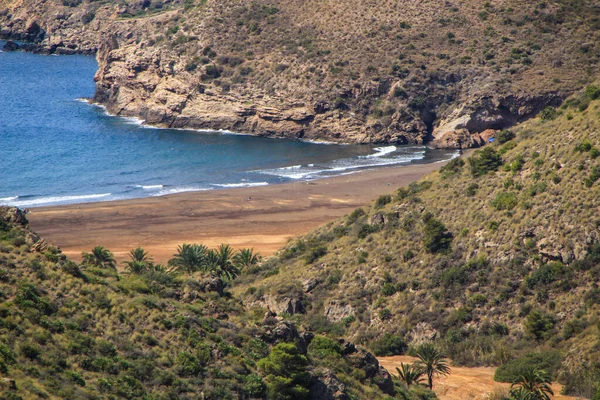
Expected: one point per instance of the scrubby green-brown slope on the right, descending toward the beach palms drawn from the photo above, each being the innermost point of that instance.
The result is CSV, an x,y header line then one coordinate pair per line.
x,y
493,257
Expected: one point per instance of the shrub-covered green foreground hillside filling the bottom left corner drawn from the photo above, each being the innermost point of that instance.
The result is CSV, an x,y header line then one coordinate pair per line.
x,y
87,332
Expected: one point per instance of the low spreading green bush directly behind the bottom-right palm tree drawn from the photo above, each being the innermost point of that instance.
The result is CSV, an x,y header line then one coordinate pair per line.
x,y
548,361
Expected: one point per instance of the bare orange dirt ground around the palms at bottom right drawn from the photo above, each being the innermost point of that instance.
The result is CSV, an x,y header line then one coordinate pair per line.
x,y
463,383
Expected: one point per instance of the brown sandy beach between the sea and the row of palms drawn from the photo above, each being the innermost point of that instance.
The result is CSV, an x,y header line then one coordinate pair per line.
x,y
264,218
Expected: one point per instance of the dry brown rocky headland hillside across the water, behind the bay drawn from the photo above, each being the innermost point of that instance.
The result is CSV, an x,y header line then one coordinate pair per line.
x,y
351,71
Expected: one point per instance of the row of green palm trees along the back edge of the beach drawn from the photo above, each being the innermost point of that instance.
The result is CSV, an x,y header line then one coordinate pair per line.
x,y
223,263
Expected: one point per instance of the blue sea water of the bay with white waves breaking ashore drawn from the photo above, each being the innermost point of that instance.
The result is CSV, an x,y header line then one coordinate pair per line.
x,y
56,148
